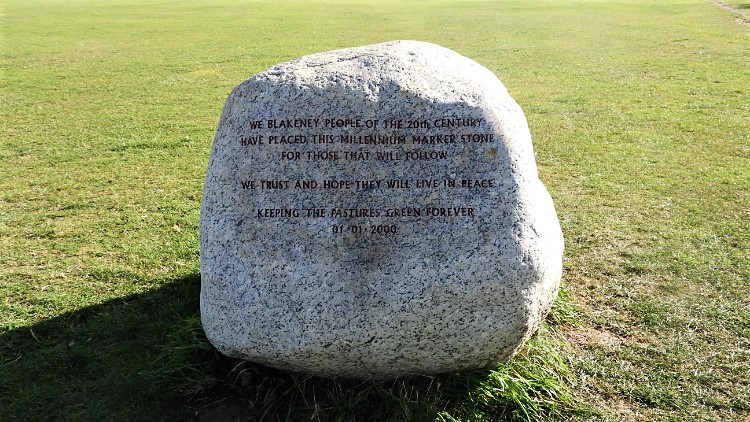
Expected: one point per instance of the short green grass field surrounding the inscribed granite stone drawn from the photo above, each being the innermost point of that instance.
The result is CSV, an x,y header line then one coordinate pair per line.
x,y
640,112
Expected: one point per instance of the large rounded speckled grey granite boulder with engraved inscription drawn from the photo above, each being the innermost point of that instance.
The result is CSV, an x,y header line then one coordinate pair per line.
x,y
375,212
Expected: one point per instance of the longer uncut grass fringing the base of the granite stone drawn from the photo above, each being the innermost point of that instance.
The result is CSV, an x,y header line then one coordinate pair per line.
x,y
535,386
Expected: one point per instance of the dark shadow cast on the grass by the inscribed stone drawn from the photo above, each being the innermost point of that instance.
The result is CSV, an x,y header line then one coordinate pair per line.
x,y
145,357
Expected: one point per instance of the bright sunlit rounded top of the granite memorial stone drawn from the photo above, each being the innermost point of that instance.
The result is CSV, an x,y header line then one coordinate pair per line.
x,y
428,70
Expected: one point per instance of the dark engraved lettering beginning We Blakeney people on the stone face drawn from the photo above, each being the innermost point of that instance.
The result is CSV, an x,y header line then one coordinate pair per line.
x,y
356,141
